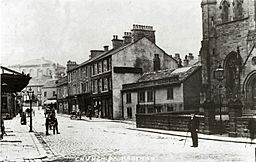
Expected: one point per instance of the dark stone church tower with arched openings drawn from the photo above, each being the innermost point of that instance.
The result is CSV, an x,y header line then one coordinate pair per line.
x,y
229,37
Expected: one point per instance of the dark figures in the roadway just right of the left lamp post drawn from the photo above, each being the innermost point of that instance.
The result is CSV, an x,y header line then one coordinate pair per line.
x,y
51,122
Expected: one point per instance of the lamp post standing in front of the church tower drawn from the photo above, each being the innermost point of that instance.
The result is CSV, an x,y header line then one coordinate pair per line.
x,y
219,75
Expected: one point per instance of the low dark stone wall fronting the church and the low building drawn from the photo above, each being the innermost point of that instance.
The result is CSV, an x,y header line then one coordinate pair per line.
x,y
180,123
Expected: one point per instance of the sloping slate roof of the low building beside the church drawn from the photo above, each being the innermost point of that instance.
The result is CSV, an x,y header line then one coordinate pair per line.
x,y
182,73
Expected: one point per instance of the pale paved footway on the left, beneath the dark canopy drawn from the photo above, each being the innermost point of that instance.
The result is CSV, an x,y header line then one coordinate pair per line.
x,y
20,144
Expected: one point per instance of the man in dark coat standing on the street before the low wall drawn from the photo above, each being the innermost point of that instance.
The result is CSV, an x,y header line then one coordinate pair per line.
x,y
193,127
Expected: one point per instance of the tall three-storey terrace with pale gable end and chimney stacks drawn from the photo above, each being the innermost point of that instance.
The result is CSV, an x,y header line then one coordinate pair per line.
x,y
98,81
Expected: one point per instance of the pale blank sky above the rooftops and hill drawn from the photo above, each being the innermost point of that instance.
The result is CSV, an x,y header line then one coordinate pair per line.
x,y
62,30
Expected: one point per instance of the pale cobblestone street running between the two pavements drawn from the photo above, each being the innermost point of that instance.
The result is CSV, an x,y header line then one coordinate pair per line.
x,y
106,140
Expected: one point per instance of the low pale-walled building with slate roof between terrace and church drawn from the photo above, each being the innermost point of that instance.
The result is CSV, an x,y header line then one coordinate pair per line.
x,y
163,91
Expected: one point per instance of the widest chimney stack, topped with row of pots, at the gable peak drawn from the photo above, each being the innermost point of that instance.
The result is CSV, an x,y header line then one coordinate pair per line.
x,y
140,31
